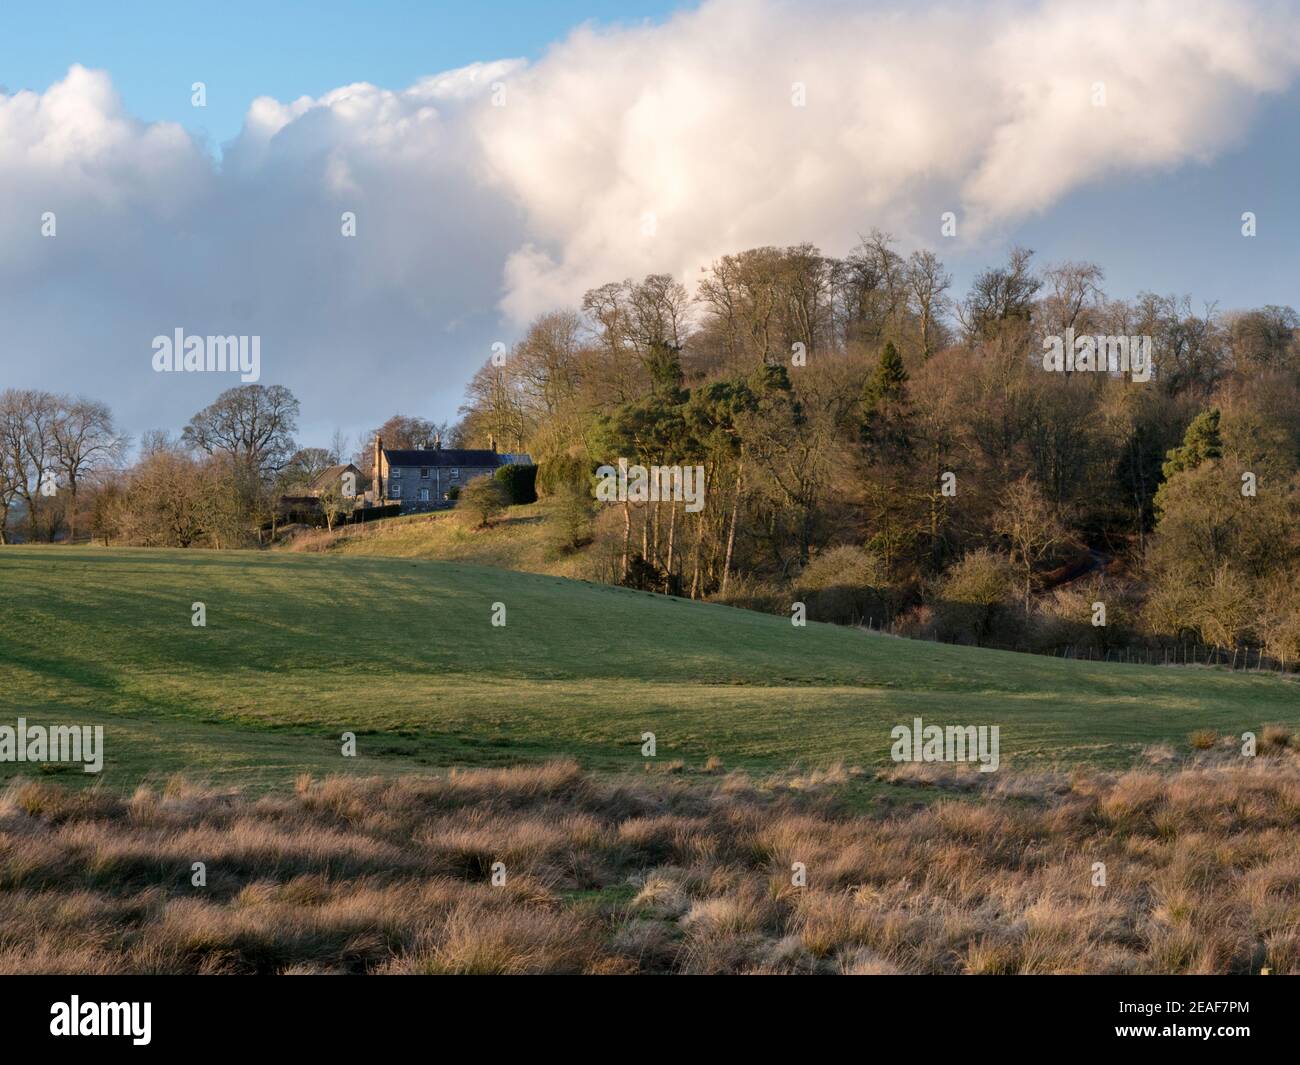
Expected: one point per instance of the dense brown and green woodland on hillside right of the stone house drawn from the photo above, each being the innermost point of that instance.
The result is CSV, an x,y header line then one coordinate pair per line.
x,y
878,447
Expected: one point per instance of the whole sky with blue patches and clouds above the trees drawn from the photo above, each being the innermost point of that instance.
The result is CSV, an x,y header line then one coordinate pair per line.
x,y
501,159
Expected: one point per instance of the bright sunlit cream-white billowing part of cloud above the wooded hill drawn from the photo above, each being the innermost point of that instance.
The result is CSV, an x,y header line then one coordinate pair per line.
x,y
985,110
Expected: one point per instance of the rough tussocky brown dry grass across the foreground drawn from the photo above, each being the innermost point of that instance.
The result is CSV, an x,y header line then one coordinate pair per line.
x,y
959,873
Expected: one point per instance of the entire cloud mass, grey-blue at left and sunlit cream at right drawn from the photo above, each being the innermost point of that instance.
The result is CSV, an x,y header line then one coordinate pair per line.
x,y
467,210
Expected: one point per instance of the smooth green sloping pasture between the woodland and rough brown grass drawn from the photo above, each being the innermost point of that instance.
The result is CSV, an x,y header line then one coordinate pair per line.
x,y
300,648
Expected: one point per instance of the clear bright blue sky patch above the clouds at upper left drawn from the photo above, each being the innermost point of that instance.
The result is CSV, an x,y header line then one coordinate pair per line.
x,y
283,49
